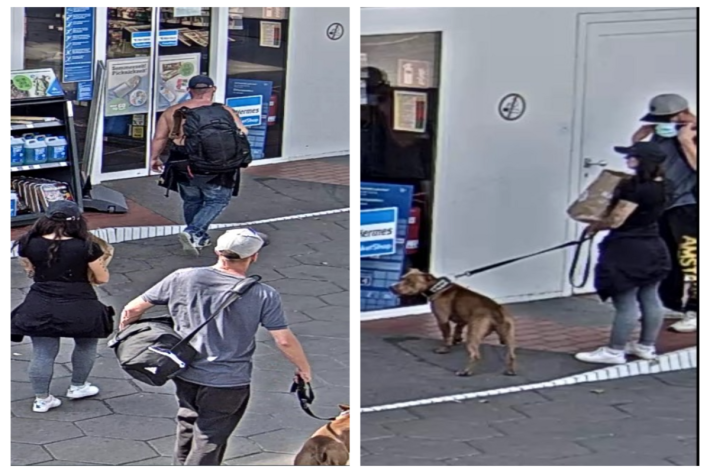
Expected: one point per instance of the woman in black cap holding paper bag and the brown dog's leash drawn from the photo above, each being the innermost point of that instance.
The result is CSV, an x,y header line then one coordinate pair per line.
x,y
633,259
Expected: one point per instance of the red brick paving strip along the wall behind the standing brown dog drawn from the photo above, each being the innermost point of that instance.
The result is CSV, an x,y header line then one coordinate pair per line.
x,y
531,333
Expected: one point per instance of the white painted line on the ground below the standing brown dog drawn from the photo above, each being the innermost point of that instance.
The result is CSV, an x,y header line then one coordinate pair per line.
x,y
674,361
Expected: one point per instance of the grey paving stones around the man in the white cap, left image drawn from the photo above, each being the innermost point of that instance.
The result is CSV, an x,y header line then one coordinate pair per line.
x,y
132,424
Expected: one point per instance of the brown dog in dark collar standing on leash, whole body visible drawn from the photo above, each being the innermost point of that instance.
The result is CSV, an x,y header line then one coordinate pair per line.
x,y
478,314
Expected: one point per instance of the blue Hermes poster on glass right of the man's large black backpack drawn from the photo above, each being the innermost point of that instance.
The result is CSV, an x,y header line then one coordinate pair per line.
x,y
250,99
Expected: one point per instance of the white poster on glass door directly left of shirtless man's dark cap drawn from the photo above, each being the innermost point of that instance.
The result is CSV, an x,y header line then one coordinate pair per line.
x,y
174,73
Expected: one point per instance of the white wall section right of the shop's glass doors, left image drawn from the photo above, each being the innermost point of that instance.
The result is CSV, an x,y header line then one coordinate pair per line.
x,y
317,108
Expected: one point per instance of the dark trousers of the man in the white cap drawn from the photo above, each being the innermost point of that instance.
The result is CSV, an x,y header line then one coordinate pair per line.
x,y
206,418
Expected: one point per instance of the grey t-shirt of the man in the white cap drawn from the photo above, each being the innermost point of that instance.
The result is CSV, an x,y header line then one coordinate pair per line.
x,y
227,344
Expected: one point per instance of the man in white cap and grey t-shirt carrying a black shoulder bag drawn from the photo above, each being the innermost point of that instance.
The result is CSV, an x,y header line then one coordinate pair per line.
x,y
214,391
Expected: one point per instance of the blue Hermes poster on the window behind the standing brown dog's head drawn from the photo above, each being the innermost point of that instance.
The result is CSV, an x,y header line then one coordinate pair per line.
x,y
378,273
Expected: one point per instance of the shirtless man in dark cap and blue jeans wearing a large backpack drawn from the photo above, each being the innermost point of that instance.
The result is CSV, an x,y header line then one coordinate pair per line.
x,y
204,196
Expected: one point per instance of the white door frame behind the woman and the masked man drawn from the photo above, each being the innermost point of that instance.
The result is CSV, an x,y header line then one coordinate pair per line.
x,y
576,169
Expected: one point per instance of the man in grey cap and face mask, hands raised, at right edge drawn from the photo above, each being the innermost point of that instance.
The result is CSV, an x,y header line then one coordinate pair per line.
x,y
672,125
